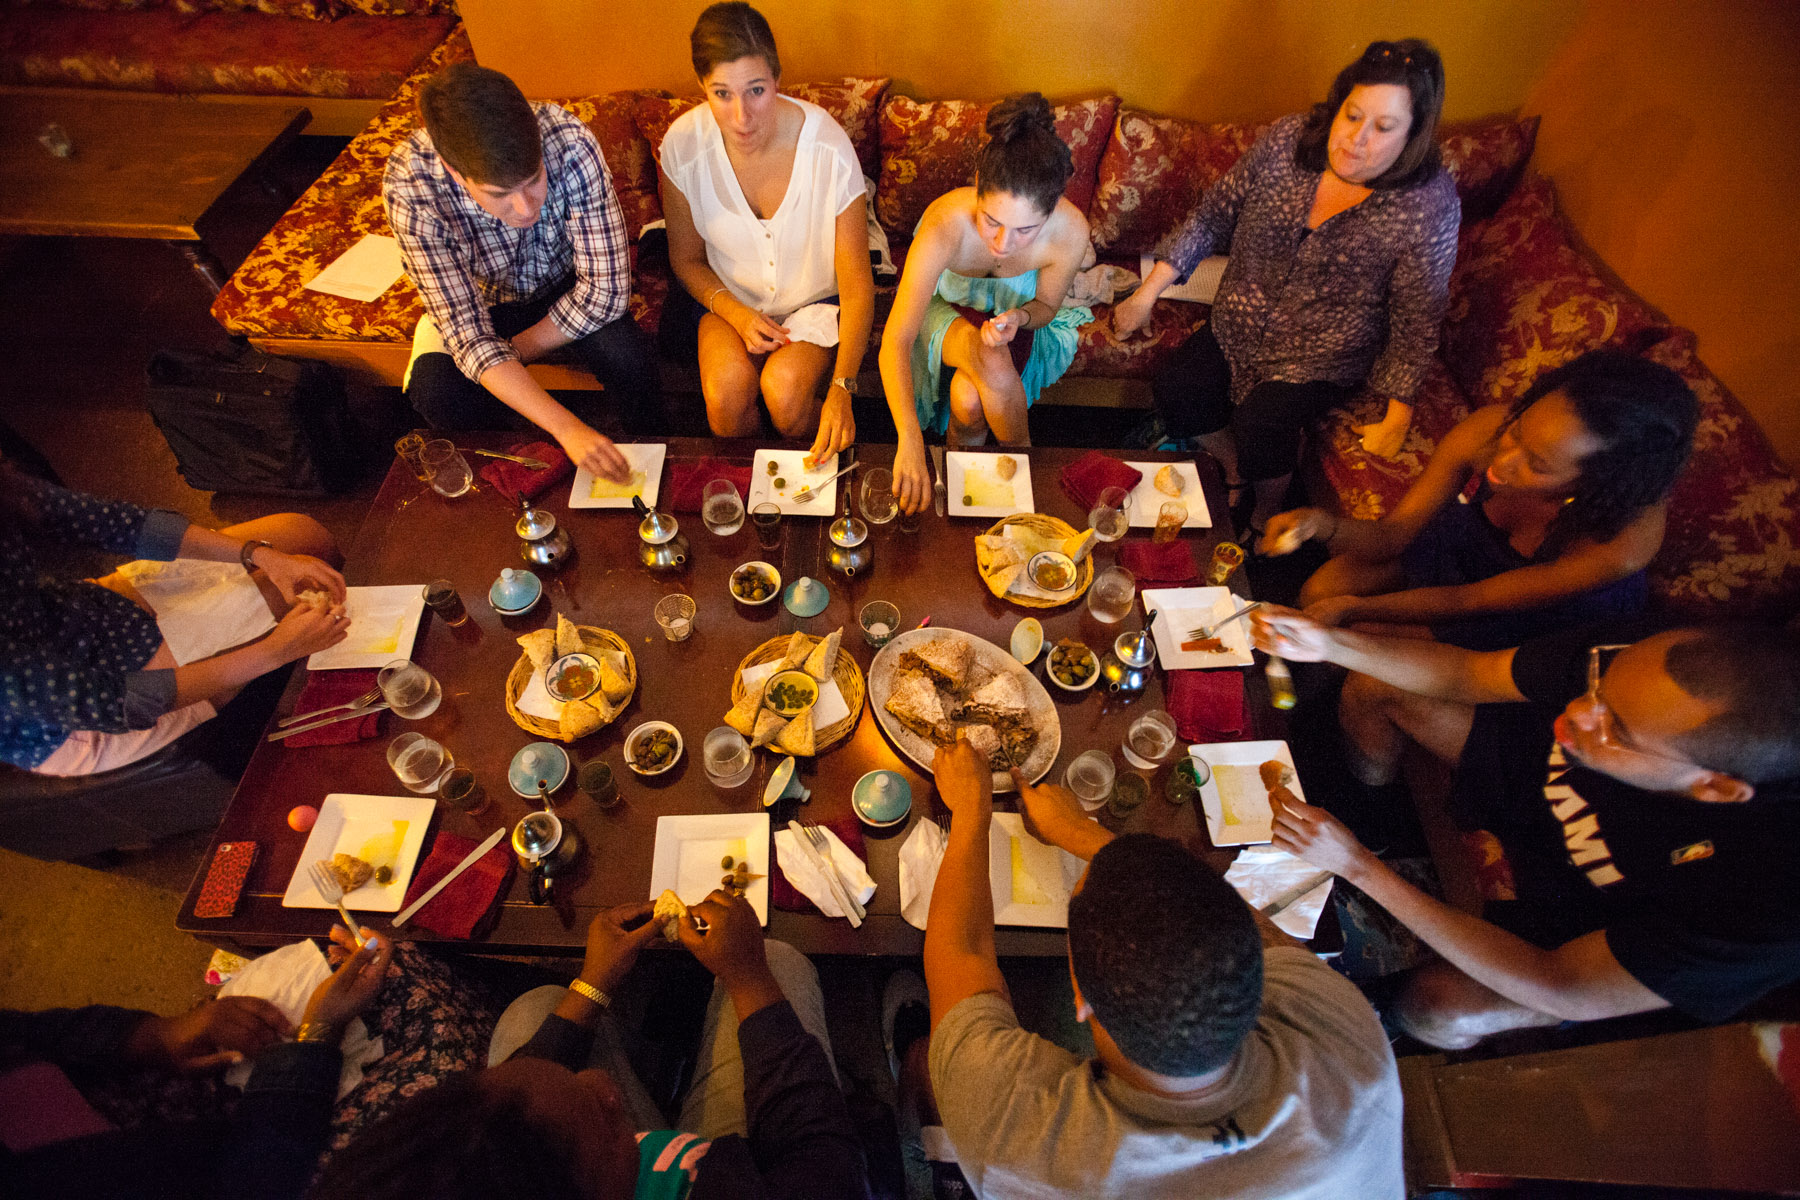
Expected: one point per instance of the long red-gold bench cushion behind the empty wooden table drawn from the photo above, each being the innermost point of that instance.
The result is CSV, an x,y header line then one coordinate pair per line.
x,y
237,53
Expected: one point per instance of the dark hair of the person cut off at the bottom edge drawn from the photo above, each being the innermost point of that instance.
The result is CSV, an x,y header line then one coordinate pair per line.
x,y
454,1142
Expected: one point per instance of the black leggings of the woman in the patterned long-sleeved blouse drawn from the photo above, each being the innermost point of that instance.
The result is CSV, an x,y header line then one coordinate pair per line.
x,y
1194,397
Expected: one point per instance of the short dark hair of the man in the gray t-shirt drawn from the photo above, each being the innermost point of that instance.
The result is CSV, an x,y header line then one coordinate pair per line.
x,y
1167,956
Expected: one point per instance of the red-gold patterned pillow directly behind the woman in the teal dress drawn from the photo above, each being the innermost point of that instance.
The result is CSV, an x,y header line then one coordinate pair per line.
x,y
930,148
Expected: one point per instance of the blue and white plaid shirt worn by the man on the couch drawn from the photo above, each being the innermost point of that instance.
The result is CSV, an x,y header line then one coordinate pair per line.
x,y
463,260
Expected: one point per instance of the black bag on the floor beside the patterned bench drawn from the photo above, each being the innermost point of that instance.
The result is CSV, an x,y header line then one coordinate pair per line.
x,y
251,422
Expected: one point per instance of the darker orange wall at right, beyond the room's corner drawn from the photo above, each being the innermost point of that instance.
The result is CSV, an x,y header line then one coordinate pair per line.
x,y
1673,134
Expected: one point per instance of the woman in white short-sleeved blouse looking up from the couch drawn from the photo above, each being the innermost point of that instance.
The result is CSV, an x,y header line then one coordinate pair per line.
x,y
768,228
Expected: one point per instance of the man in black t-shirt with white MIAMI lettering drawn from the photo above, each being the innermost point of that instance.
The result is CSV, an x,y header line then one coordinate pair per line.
x,y
1646,798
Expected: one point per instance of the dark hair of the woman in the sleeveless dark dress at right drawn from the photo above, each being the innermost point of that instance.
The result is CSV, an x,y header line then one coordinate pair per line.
x,y
1644,416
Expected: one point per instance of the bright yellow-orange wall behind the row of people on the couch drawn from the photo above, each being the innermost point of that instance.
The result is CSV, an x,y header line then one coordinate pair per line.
x,y
1221,60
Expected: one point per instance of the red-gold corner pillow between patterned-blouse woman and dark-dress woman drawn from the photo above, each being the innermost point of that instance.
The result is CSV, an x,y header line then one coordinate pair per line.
x,y
1524,301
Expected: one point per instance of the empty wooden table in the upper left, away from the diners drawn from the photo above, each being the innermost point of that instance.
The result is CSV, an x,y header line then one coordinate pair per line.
x,y
143,166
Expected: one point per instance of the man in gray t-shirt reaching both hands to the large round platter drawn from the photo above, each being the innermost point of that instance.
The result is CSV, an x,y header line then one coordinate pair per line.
x,y
1230,1062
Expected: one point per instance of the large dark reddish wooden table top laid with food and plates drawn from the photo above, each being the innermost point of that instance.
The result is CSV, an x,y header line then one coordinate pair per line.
x,y
413,535
